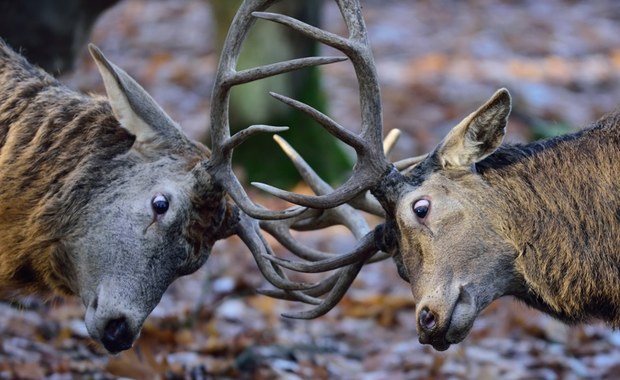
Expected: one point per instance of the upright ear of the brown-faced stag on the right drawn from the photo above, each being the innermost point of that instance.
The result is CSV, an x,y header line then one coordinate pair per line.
x,y
478,135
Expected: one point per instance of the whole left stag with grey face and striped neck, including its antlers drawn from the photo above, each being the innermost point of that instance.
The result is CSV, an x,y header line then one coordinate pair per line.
x,y
106,198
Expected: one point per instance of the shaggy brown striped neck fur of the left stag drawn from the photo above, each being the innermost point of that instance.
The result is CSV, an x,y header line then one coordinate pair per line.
x,y
53,143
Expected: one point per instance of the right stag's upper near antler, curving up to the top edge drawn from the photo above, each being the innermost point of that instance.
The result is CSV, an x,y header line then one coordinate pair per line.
x,y
371,161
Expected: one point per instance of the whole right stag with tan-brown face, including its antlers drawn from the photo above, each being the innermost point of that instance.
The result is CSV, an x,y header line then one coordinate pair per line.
x,y
474,220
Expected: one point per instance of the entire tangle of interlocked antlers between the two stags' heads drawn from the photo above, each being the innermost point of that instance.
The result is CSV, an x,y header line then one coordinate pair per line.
x,y
329,207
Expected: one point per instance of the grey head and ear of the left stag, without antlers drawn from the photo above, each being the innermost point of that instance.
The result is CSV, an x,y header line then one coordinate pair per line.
x,y
156,220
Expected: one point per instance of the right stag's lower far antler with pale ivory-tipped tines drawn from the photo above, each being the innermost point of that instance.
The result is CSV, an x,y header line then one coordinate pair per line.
x,y
349,264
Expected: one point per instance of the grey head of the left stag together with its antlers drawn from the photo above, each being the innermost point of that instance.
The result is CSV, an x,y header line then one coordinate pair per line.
x,y
159,215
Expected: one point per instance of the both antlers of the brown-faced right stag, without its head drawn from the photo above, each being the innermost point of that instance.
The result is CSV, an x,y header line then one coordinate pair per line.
x,y
330,207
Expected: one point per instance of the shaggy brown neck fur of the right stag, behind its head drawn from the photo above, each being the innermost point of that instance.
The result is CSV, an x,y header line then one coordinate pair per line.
x,y
560,204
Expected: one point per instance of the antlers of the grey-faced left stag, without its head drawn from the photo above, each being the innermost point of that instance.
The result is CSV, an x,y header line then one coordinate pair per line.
x,y
223,143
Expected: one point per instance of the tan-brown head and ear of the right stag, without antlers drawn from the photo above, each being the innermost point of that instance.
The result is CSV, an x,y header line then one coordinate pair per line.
x,y
449,249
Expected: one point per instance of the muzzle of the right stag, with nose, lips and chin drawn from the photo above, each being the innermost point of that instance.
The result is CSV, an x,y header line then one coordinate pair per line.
x,y
442,322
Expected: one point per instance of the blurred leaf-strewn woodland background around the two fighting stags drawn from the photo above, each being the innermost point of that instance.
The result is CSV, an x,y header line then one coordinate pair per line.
x,y
437,61
